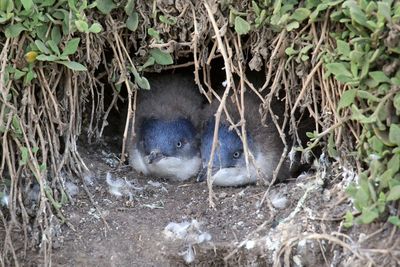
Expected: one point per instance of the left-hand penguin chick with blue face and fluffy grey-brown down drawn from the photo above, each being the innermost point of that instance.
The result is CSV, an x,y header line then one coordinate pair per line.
x,y
166,124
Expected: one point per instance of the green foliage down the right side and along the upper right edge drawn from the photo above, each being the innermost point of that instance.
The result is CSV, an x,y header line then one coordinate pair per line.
x,y
367,44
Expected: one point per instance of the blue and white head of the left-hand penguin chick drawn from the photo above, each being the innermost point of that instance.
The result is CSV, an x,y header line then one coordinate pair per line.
x,y
169,148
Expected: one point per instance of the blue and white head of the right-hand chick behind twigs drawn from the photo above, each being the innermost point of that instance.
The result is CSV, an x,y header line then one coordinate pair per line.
x,y
229,165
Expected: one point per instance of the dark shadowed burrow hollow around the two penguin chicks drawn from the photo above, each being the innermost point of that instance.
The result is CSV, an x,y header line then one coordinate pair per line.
x,y
112,135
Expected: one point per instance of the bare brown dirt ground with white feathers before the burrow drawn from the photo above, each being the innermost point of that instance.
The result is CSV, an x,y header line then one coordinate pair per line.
x,y
129,230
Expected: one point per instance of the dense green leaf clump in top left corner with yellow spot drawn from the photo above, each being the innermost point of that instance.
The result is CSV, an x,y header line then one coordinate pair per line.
x,y
50,25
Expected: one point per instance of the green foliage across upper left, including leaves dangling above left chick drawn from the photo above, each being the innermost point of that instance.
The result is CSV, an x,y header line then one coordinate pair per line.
x,y
55,27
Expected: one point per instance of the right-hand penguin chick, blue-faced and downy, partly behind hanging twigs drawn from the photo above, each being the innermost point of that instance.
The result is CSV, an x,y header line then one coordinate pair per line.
x,y
229,165
